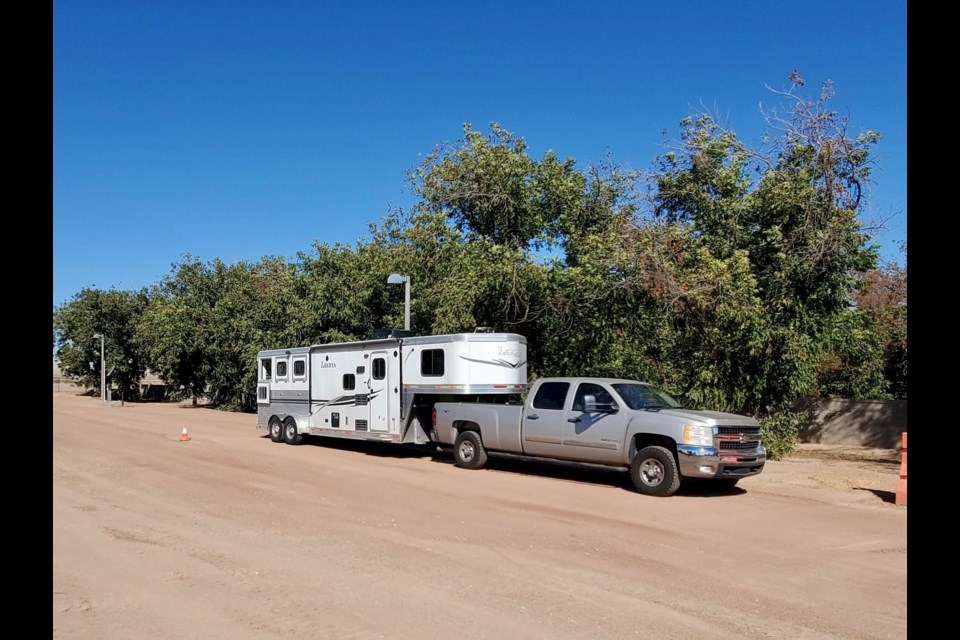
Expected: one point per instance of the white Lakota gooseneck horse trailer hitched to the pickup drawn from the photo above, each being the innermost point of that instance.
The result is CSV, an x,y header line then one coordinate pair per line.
x,y
383,389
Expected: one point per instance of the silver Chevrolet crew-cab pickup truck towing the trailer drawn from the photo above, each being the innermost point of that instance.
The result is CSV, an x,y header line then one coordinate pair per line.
x,y
611,422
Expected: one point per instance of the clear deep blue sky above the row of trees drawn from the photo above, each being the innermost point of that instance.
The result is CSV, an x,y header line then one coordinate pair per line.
x,y
237,130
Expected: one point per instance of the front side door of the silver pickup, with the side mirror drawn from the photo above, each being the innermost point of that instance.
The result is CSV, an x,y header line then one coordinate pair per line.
x,y
596,436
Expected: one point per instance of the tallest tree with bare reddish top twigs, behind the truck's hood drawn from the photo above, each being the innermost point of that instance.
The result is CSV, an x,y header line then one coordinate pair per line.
x,y
793,210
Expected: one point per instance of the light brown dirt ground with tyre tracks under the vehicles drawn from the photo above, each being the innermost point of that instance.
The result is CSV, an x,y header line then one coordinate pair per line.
x,y
231,536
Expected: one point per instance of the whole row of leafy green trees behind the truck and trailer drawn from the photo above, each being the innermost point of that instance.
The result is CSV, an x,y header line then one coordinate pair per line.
x,y
741,278
